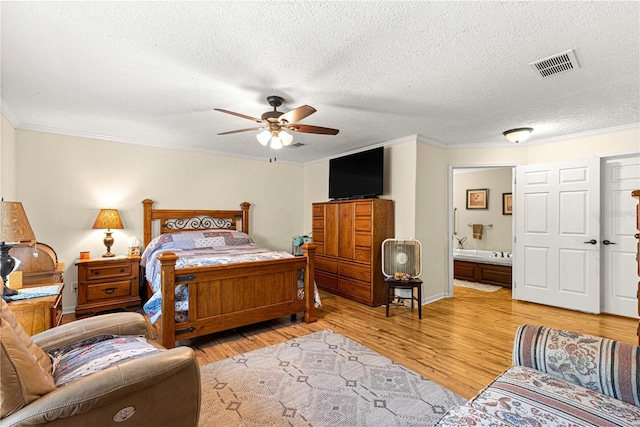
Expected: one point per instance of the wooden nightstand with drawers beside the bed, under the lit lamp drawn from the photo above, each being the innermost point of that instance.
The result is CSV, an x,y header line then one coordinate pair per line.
x,y
107,284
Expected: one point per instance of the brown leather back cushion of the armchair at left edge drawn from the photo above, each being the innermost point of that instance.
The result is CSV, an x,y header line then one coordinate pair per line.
x,y
23,380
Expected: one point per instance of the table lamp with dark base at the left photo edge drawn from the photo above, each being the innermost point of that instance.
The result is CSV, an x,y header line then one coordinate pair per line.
x,y
15,230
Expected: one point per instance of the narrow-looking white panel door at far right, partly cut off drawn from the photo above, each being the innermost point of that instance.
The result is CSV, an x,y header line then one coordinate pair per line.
x,y
620,176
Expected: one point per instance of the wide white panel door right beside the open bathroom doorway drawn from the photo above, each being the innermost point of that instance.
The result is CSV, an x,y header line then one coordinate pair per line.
x,y
557,210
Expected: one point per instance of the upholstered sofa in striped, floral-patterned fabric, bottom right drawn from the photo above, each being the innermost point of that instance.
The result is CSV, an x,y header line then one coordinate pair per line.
x,y
559,378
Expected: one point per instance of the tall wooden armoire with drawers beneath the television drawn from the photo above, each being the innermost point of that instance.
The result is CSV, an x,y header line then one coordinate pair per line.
x,y
349,235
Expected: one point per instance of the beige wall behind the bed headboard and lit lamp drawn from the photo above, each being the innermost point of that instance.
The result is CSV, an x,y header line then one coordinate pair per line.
x,y
63,181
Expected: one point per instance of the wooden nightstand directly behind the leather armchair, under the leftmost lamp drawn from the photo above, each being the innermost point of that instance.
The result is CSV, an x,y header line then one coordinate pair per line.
x,y
38,314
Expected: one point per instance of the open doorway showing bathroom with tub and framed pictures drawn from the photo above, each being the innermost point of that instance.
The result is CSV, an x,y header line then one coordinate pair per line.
x,y
481,227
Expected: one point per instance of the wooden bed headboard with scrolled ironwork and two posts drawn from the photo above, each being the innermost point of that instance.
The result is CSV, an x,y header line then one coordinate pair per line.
x,y
173,220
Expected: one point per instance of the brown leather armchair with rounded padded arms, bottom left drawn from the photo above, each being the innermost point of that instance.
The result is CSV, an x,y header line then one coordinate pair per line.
x,y
159,389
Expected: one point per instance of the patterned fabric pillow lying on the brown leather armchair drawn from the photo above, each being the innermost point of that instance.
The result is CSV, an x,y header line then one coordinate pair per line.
x,y
78,360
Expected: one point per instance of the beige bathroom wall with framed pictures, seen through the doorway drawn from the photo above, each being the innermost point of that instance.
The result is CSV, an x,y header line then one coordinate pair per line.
x,y
497,181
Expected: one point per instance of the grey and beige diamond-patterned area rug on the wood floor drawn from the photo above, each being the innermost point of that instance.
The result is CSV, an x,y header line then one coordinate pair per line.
x,y
321,379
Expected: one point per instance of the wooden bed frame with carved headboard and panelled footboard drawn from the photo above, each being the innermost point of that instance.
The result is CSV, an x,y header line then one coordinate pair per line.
x,y
223,297
